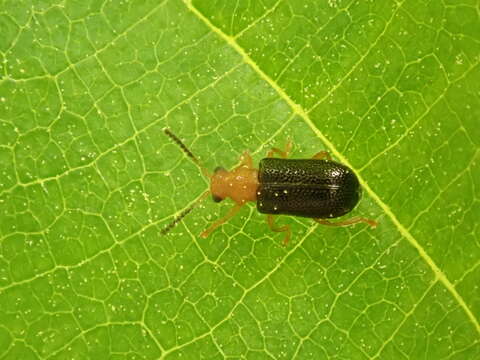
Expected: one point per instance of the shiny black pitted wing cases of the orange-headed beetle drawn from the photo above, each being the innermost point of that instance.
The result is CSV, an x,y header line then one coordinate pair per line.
x,y
306,187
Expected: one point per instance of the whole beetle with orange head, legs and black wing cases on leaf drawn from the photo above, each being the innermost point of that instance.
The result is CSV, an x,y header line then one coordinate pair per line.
x,y
317,188
